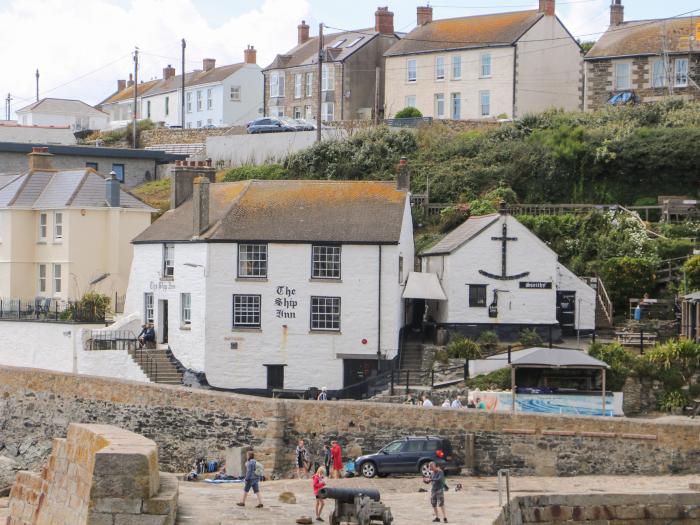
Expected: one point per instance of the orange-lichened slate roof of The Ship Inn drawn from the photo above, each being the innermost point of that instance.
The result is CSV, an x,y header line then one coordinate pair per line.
x,y
361,212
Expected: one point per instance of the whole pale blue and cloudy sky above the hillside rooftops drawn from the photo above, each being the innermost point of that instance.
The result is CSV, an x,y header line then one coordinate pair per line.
x,y
82,48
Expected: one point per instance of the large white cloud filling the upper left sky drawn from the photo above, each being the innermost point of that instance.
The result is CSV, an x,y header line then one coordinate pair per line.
x,y
67,39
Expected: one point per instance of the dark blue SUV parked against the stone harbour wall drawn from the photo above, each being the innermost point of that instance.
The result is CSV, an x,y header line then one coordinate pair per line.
x,y
410,455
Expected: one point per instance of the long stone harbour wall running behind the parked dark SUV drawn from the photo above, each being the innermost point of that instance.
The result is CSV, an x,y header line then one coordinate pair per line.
x,y
36,404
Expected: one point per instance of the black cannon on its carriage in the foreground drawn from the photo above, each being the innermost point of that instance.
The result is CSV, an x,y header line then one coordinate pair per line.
x,y
362,506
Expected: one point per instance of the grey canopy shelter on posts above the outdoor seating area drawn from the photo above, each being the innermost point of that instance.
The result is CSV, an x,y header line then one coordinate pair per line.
x,y
558,358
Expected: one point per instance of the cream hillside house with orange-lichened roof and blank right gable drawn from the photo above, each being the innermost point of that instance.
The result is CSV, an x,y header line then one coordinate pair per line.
x,y
486,66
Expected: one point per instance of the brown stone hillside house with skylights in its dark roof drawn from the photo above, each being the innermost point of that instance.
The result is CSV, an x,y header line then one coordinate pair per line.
x,y
349,73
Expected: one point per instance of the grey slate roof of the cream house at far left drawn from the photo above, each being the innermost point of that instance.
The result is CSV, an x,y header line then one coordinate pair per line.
x,y
82,188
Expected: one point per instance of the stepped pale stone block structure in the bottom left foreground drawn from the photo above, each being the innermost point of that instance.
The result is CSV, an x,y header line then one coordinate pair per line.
x,y
98,474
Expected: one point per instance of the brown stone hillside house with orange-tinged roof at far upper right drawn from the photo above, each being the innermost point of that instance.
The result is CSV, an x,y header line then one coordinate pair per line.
x,y
649,59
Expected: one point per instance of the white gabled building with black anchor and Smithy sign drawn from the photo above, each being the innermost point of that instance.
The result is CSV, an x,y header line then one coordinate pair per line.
x,y
498,275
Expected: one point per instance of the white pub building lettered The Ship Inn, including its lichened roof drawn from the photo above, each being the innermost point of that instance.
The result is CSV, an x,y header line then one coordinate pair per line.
x,y
277,284
